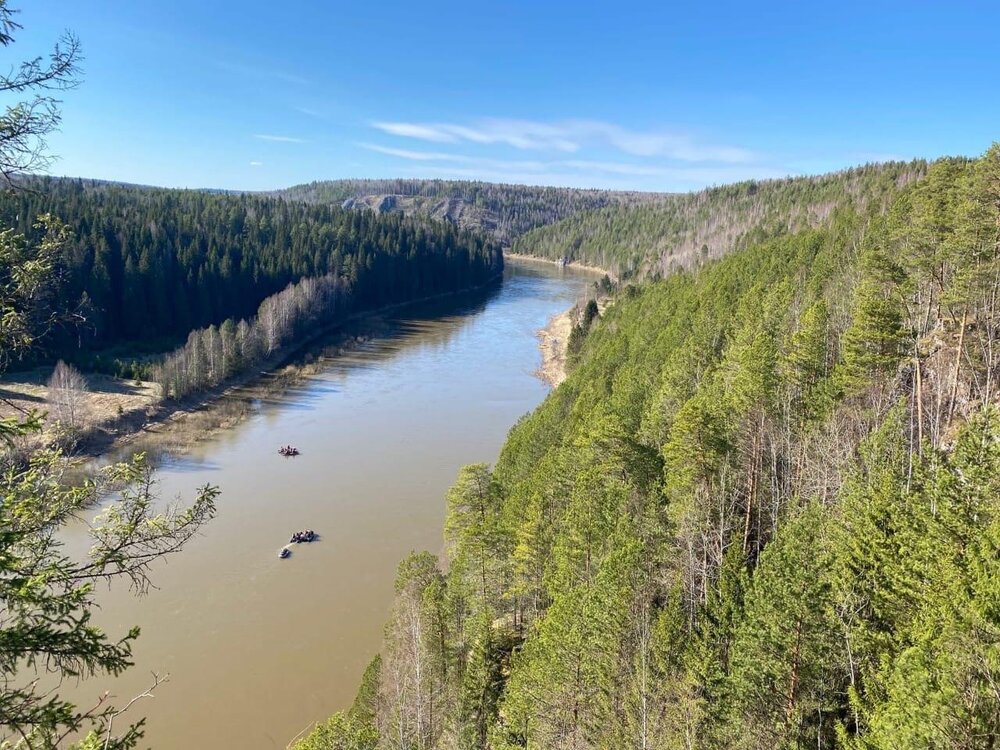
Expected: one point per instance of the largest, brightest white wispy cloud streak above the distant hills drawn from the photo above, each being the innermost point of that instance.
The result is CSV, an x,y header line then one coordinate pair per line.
x,y
570,136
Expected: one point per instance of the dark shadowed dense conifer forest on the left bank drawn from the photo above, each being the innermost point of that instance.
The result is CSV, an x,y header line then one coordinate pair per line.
x,y
150,263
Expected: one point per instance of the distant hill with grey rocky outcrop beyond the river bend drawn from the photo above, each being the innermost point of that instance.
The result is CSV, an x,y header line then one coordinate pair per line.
x,y
504,211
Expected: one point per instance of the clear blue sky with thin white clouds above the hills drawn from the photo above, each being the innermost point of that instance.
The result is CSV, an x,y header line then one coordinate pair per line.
x,y
650,96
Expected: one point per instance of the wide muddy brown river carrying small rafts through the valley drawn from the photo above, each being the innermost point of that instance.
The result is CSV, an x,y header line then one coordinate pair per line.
x,y
258,649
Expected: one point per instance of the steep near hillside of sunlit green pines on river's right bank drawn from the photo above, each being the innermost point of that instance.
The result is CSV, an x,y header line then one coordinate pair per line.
x,y
762,512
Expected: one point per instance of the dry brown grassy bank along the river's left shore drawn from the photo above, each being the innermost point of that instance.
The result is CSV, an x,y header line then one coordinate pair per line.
x,y
175,424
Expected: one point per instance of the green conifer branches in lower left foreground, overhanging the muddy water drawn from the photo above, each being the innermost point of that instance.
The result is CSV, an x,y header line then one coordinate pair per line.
x,y
48,597
